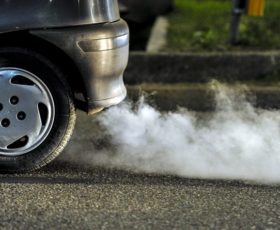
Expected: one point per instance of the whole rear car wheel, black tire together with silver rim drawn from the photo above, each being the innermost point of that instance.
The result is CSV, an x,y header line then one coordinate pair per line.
x,y
37,113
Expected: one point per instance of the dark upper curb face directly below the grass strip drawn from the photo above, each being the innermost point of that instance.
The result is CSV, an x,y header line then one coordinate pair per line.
x,y
229,67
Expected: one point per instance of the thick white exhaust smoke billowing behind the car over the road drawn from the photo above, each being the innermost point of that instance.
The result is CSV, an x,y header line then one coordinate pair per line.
x,y
236,141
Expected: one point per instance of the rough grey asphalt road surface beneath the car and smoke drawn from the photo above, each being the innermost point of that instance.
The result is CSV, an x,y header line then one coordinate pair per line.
x,y
67,194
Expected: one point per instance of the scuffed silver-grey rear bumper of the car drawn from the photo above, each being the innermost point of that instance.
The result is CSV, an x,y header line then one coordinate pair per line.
x,y
100,52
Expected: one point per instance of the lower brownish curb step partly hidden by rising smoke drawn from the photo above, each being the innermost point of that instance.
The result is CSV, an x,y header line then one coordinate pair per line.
x,y
200,97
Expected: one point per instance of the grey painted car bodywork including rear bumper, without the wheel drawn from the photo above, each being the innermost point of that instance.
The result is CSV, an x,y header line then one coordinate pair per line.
x,y
90,32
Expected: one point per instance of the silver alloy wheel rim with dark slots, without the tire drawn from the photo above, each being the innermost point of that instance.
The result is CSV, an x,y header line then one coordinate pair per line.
x,y
26,111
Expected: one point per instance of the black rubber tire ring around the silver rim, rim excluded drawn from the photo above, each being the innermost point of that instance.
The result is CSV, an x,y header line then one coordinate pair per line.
x,y
54,80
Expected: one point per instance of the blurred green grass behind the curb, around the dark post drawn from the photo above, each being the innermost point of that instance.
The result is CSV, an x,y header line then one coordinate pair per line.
x,y
203,25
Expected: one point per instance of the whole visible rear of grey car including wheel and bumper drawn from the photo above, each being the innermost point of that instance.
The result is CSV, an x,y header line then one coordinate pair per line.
x,y
56,56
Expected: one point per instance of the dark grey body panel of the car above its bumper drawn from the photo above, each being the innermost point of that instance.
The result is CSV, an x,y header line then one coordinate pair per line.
x,y
31,14
